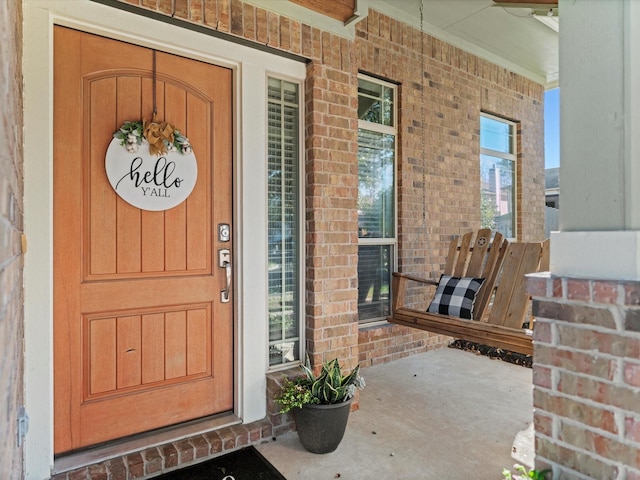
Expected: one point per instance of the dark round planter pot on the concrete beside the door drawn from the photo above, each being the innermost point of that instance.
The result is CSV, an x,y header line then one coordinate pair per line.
x,y
321,427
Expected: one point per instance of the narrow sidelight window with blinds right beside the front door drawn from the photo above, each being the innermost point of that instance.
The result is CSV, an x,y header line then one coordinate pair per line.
x,y
284,231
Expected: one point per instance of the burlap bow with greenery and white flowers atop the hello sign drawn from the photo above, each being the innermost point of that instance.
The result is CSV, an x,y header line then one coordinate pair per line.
x,y
162,137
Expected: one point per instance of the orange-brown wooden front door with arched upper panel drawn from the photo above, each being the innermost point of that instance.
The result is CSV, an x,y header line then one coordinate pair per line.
x,y
142,339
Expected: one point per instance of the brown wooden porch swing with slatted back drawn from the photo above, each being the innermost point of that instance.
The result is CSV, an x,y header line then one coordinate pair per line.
x,y
500,310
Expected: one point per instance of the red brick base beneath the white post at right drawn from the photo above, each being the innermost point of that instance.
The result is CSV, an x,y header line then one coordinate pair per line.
x,y
586,376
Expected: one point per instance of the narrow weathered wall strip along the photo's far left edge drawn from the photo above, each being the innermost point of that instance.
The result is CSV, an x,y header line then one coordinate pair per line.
x,y
11,260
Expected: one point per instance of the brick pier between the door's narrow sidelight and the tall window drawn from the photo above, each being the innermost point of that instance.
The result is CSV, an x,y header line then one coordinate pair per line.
x,y
331,185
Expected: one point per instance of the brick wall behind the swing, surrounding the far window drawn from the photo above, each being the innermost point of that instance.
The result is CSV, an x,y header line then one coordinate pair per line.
x,y
442,91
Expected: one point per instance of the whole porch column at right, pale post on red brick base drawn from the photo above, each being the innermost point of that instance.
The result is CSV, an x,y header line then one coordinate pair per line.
x,y
587,331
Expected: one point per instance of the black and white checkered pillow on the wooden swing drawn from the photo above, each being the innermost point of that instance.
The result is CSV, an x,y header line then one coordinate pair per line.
x,y
455,296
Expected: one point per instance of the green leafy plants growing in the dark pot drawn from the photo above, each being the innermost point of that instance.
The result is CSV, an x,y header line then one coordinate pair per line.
x,y
329,387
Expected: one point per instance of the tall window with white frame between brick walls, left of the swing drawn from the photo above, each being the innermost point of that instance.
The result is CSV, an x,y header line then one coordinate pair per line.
x,y
376,197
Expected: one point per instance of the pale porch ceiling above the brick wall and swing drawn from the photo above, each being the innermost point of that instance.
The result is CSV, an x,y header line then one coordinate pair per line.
x,y
516,34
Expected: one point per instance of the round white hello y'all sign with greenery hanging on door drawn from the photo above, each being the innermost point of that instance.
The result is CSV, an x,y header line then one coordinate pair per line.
x,y
151,166
